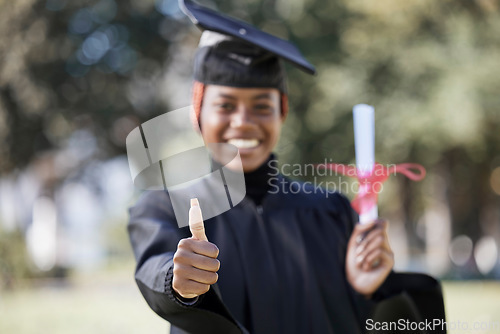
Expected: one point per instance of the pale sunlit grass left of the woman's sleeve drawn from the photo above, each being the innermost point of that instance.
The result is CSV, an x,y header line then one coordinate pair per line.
x,y
90,303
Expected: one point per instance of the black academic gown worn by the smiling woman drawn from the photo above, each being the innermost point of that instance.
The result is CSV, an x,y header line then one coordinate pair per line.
x,y
282,265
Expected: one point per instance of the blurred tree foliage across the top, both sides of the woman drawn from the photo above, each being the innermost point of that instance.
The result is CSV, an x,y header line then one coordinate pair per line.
x,y
429,67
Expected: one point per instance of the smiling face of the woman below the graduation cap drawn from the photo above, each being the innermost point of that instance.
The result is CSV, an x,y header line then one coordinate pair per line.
x,y
248,118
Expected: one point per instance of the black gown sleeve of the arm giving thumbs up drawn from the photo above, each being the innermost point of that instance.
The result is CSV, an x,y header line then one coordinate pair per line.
x,y
154,236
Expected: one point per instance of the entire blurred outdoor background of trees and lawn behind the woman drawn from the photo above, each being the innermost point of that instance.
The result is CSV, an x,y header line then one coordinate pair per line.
x,y
77,76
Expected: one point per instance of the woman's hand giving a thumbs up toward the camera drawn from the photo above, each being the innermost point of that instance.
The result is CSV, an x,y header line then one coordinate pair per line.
x,y
195,261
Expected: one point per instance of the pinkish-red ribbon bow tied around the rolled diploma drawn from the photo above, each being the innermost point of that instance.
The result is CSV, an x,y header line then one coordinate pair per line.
x,y
370,185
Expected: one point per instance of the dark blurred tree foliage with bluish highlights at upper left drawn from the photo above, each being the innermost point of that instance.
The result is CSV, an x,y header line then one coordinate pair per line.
x,y
68,65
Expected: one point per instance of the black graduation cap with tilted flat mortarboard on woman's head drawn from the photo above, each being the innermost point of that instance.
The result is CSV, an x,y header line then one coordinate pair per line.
x,y
235,53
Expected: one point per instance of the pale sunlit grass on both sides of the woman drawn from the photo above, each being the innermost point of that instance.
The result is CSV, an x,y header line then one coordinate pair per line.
x,y
109,302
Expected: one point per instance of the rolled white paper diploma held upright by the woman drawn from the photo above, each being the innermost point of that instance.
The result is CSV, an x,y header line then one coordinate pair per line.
x,y
364,141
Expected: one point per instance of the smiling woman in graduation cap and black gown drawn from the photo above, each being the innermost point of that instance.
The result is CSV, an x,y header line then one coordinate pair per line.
x,y
280,262
